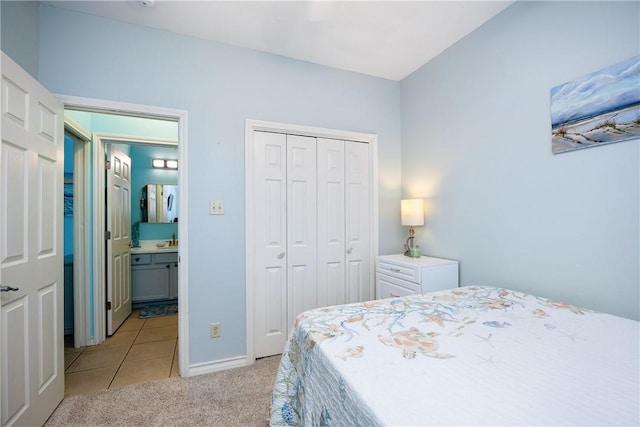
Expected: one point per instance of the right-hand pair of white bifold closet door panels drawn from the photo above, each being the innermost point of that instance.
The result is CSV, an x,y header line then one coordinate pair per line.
x,y
344,222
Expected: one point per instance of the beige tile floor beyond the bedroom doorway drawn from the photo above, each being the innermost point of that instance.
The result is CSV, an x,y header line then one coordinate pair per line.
x,y
141,350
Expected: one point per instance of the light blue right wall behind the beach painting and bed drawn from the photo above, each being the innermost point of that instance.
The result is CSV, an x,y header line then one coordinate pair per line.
x,y
476,144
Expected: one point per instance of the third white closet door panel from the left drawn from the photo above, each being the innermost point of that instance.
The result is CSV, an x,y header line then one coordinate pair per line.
x,y
331,220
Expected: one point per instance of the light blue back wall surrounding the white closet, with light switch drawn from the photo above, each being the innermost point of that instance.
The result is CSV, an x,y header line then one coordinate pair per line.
x,y
220,87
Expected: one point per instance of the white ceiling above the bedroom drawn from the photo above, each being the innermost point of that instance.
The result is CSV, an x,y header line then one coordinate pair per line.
x,y
388,39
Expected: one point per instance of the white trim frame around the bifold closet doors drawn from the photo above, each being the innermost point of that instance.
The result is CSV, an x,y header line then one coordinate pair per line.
x,y
252,126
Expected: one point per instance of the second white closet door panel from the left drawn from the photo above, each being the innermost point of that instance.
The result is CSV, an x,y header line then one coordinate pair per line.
x,y
301,226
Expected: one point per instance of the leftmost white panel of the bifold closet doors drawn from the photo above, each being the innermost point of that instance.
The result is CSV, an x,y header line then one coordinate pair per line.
x,y
270,228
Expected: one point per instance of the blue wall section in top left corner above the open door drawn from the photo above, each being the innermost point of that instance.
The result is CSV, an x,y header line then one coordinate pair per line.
x,y
19,33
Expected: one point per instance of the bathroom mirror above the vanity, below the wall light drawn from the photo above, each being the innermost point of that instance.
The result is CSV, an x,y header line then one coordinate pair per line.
x,y
159,203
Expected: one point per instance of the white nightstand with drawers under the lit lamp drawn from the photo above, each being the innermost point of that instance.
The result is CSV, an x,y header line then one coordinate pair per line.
x,y
399,275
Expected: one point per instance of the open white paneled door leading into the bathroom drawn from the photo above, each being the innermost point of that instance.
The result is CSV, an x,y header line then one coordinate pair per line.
x,y
118,244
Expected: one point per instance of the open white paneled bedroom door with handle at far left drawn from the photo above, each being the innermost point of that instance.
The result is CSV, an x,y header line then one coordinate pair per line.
x,y
31,258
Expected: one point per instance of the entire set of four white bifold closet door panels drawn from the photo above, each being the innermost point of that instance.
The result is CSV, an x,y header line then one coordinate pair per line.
x,y
311,215
